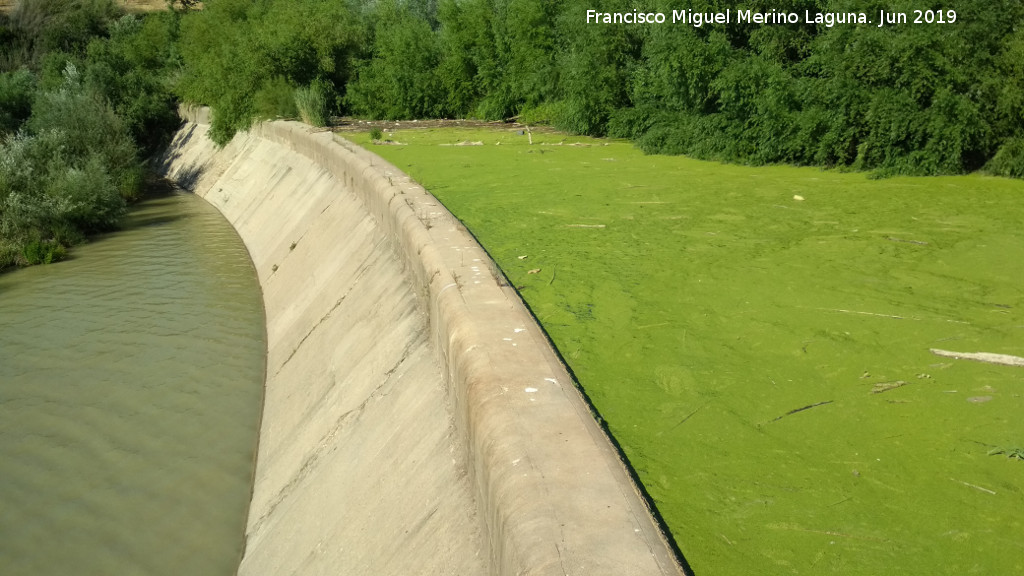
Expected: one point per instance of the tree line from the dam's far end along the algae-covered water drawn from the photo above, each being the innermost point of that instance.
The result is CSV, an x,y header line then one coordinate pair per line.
x,y
909,99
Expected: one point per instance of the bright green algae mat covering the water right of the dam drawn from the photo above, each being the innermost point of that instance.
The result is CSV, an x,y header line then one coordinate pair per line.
x,y
758,341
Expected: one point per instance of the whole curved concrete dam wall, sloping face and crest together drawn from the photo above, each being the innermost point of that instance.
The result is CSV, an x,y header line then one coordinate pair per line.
x,y
416,420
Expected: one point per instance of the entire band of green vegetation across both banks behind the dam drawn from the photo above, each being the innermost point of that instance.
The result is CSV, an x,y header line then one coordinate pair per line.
x,y
87,93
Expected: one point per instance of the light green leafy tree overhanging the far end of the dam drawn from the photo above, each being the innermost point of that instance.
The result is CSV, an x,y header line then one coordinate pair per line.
x,y
236,55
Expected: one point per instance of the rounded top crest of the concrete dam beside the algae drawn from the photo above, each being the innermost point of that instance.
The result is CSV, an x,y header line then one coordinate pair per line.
x,y
553,496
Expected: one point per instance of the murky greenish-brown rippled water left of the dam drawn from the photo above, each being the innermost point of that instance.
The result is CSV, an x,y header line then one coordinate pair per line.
x,y
131,393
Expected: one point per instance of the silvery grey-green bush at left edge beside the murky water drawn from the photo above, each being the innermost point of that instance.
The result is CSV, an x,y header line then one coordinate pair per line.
x,y
66,174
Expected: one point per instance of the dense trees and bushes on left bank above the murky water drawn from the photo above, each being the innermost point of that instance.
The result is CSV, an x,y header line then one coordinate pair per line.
x,y
83,101
